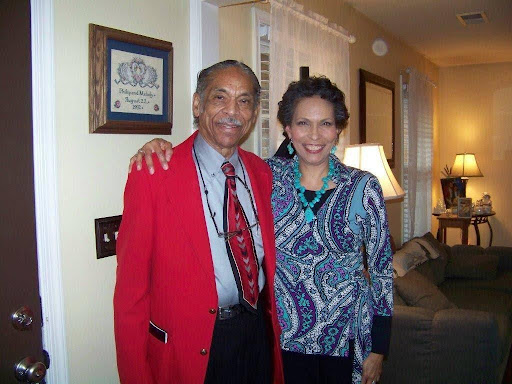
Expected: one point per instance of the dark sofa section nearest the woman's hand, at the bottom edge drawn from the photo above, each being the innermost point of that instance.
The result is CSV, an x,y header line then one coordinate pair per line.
x,y
409,357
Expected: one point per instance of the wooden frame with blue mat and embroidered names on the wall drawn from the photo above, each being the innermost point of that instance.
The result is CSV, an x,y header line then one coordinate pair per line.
x,y
130,82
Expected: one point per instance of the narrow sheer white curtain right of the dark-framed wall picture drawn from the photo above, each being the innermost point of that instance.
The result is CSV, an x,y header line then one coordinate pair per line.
x,y
417,119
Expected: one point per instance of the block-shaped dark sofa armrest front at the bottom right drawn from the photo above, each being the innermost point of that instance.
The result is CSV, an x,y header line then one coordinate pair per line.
x,y
465,347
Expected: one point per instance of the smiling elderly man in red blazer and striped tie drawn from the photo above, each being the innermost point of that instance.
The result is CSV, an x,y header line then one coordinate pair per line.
x,y
194,298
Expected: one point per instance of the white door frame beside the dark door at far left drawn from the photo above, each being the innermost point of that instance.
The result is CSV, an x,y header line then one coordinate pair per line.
x,y
45,188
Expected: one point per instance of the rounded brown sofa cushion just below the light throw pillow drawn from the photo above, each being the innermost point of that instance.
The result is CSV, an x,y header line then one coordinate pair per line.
x,y
418,291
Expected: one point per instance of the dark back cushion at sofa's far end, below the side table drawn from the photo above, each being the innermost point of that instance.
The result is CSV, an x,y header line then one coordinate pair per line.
x,y
471,262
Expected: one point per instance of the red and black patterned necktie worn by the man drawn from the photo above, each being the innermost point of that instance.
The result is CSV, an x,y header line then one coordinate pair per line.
x,y
240,246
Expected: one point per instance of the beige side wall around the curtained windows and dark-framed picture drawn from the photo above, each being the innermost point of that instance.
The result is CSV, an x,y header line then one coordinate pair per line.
x,y
235,22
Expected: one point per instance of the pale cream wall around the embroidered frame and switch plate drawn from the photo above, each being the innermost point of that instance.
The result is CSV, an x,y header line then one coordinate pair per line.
x,y
92,168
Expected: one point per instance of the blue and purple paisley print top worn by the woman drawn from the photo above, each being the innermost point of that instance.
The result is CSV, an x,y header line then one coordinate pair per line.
x,y
323,298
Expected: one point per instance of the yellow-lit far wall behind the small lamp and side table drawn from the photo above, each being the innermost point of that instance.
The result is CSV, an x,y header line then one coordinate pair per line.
x,y
475,116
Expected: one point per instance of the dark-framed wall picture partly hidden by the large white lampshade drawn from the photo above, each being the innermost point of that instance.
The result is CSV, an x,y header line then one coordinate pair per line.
x,y
377,112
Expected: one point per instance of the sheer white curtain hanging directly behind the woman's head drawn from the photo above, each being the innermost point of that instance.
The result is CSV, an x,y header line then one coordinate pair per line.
x,y
304,39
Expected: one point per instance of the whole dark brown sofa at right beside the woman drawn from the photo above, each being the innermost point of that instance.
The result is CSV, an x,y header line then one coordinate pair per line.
x,y
452,314
